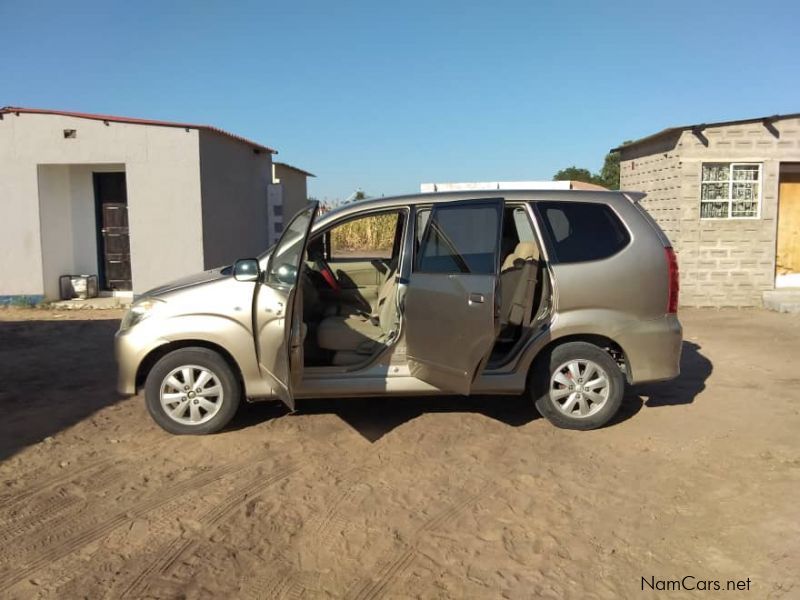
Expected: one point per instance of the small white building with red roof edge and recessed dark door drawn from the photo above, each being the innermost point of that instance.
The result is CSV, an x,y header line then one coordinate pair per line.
x,y
135,201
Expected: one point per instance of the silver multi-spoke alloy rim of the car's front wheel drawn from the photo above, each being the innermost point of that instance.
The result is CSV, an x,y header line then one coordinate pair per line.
x,y
191,395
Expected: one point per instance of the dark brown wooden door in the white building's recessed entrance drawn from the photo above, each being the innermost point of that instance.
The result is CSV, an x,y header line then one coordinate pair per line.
x,y
114,251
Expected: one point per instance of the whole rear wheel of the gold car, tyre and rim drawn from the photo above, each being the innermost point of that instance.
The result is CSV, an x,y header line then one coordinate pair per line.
x,y
578,386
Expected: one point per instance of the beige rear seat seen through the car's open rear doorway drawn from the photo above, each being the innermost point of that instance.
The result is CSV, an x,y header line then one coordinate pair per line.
x,y
517,282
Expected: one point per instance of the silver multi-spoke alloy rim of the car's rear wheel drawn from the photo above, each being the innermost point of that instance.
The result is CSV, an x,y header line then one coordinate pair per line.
x,y
579,388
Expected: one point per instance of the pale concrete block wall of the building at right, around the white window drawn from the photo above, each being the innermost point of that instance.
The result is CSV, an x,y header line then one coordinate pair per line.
x,y
724,262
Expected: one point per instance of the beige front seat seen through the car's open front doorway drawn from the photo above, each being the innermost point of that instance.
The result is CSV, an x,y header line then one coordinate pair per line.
x,y
353,338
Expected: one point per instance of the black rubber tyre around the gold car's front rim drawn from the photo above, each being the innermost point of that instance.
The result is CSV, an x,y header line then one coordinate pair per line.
x,y
206,359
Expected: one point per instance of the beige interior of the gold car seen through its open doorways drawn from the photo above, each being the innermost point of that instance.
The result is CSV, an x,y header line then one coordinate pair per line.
x,y
349,287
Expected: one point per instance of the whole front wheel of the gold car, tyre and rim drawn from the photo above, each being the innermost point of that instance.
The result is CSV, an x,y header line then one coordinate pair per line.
x,y
192,391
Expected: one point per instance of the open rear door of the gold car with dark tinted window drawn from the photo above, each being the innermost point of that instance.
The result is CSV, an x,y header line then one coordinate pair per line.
x,y
451,305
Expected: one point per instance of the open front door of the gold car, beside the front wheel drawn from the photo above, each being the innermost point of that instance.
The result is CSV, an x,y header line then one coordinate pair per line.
x,y
277,317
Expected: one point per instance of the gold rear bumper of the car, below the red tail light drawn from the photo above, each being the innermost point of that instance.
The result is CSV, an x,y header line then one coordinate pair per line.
x,y
653,349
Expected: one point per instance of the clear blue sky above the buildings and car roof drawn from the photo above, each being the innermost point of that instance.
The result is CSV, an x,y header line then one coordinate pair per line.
x,y
385,95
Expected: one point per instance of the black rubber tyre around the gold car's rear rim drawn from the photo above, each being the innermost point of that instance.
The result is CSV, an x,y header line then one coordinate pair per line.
x,y
545,369
